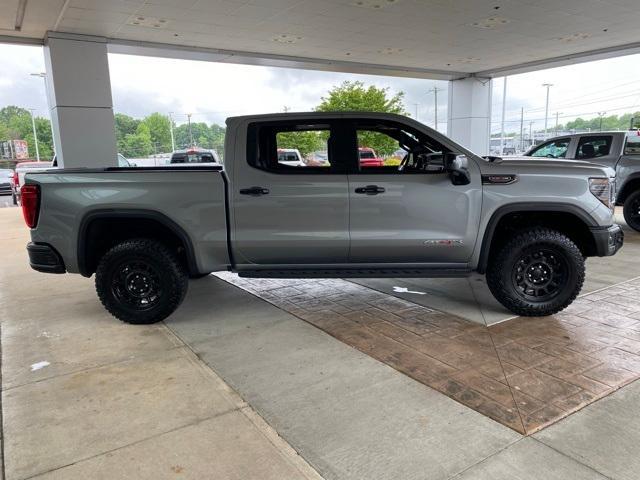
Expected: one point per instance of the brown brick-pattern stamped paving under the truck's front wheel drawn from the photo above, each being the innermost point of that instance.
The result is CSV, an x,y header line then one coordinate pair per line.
x,y
525,373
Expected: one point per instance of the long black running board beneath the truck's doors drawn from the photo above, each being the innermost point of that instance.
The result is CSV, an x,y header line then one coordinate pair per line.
x,y
357,273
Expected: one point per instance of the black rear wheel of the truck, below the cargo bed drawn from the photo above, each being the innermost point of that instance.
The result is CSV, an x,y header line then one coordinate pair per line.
x,y
140,281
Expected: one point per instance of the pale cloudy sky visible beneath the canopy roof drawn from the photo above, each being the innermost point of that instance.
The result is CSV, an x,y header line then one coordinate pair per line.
x,y
212,91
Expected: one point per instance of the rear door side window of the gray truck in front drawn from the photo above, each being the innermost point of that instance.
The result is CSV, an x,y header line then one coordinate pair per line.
x,y
290,148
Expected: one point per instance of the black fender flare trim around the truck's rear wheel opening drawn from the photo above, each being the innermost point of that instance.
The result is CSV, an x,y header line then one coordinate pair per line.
x,y
128,214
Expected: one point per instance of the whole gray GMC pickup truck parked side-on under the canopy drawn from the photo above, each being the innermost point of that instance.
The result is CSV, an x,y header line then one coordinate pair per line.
x,y
440,211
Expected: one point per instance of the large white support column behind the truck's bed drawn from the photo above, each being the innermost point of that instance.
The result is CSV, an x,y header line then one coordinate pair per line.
x,y
79,96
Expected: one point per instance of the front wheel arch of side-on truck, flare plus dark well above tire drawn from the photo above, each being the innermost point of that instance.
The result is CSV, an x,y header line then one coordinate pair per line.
x,y
568,218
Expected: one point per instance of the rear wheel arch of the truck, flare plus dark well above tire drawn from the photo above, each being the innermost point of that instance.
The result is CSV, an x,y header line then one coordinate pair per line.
x,y
123,224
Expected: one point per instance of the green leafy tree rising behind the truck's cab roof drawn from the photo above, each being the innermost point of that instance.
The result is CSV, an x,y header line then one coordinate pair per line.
x,y
356,97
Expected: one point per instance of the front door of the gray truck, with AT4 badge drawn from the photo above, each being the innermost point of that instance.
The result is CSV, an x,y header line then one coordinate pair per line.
x,y
408,210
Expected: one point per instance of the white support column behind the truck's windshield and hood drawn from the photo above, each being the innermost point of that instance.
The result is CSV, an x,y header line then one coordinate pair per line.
x,y
469,113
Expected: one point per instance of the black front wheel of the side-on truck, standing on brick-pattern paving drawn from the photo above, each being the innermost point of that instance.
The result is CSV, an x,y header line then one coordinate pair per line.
x,y
538,272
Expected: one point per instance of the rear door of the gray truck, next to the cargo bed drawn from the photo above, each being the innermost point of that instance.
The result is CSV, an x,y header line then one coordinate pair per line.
x,y
288,213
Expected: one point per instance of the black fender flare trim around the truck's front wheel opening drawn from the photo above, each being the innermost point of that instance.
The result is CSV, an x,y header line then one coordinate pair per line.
x,y
501,212
